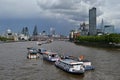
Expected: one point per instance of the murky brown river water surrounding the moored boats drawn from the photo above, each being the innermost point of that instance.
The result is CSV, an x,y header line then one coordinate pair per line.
x,y
15,66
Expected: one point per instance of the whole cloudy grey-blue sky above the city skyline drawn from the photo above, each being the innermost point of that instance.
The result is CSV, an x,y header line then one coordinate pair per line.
x,y
63,15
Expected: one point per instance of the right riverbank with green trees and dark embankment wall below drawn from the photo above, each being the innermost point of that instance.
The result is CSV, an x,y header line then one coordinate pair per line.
x,y
110,41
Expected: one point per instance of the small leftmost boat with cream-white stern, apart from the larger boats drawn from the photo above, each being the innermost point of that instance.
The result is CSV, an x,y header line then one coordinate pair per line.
x,y
32,54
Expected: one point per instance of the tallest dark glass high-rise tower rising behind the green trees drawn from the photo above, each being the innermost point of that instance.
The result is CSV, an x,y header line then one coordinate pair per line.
x,y
92,21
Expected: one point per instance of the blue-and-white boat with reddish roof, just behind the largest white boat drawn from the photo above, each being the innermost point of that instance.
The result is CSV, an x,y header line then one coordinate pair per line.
x,y
50,56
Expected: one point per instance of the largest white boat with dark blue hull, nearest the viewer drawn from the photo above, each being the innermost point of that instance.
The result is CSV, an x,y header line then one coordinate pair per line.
x,y
71,66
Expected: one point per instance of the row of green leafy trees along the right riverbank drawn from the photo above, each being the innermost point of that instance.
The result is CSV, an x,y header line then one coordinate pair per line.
x,y
111,38
